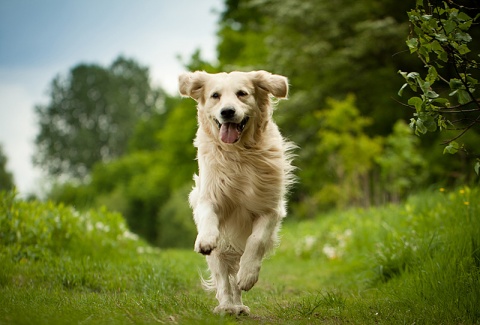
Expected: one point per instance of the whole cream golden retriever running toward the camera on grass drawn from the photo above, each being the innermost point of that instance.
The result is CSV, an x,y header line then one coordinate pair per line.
x,y
245,170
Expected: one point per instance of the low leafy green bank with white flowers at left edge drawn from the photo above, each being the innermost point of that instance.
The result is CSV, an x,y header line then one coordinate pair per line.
x,y
36,230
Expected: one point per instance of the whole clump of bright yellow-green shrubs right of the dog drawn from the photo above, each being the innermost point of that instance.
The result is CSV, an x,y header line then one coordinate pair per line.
x,y
353,168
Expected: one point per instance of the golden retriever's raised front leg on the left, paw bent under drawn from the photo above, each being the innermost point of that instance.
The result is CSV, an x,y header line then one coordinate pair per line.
x,y
207,226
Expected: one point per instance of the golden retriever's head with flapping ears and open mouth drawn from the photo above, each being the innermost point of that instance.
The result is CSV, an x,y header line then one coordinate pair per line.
x,y
233,106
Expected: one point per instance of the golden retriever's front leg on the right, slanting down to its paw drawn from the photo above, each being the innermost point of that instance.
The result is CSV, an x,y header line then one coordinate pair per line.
x,y
259,241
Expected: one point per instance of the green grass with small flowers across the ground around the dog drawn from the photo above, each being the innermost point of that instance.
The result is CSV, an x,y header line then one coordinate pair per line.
x,y
418,262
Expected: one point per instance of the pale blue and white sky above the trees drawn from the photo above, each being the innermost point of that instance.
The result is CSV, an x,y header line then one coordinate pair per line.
x,y
42,39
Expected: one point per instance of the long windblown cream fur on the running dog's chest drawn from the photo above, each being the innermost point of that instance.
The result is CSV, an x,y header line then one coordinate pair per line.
x,y
252,178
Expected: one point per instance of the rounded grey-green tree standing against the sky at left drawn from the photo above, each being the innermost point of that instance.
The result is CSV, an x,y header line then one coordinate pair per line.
x,y
91,116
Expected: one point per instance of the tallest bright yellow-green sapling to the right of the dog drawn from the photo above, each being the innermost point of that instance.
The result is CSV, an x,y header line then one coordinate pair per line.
x,y
348,154
